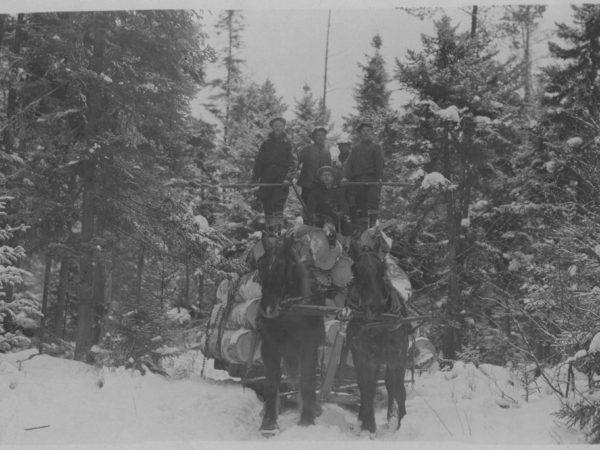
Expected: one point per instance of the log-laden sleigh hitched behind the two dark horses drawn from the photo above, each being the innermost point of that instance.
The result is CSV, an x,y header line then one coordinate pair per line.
x,y
232,340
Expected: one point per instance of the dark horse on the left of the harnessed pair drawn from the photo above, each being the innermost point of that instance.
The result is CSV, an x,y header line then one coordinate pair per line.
x,y
287,338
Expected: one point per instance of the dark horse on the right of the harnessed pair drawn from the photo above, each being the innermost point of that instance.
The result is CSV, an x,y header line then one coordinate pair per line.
x,y
374,342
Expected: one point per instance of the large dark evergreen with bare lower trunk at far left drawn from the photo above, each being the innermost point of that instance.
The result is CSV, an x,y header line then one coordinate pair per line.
x,y
105,123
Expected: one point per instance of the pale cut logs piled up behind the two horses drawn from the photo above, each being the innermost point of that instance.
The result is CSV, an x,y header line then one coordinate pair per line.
x,y
238,298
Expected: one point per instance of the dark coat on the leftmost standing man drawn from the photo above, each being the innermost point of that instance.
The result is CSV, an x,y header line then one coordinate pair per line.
x,y
276,161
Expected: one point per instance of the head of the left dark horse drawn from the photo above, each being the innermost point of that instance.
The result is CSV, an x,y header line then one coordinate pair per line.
x,y
277,272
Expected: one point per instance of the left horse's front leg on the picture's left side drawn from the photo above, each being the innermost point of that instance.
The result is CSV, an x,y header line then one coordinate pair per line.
x,y
272,362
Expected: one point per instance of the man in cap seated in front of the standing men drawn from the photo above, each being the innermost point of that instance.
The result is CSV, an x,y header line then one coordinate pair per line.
x,y
327,205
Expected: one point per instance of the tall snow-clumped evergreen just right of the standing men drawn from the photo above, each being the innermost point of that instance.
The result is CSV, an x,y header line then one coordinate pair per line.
x,y
456,148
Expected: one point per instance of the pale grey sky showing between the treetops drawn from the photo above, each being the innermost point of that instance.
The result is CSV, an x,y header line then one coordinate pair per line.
x,y
288,47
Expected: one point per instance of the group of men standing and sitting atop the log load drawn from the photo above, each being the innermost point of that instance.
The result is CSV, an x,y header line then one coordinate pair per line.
x,y
345,199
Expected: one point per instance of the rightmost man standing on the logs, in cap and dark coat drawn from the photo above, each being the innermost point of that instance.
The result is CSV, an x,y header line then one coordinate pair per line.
x,y
364,164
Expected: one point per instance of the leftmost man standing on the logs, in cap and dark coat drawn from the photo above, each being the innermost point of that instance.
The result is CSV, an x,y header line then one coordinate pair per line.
x,y
276,162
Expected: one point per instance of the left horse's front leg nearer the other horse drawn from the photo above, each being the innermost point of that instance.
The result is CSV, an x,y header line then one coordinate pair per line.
x,y
308,381
